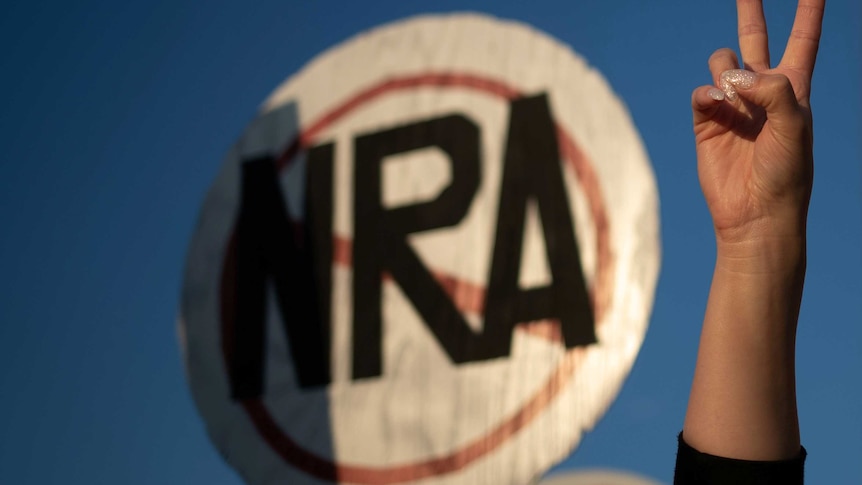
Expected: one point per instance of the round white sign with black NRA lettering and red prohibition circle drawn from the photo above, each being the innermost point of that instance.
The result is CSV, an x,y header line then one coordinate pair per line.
x,y
432,256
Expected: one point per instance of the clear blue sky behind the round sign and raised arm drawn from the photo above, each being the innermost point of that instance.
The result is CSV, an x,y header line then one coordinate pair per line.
x,y
115,119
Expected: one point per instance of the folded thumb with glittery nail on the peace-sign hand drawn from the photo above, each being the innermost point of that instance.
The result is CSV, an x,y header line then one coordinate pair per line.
x,y
772,92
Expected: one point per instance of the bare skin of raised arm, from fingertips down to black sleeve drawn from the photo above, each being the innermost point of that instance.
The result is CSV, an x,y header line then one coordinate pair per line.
x,y
755,165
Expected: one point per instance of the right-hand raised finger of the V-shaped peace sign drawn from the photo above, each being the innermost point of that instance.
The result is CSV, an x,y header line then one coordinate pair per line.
x,y
804,39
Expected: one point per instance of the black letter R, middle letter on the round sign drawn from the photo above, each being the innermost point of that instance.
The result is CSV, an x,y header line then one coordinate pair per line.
x,y
380,237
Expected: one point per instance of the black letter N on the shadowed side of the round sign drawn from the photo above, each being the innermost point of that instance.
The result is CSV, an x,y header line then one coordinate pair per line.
x,y
298,265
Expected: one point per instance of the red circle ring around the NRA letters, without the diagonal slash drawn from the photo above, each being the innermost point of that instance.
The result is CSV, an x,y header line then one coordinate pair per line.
x,y
326,469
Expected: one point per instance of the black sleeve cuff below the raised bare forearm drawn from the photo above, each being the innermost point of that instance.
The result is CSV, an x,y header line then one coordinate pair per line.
x,y
694,467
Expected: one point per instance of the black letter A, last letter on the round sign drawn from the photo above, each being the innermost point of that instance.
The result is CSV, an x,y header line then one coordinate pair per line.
x,y
533,171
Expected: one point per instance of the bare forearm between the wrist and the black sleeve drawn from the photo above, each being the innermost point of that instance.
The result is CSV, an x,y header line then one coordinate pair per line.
x,y
743,398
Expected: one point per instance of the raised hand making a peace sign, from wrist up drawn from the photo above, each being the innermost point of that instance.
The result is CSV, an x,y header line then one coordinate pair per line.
x,y
754,137
